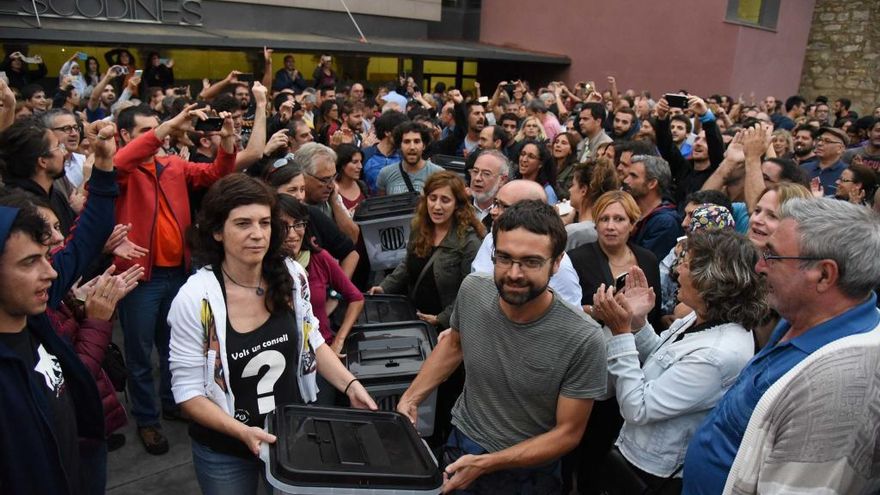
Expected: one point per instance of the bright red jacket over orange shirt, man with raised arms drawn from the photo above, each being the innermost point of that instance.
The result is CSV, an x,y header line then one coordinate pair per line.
x,y
138,201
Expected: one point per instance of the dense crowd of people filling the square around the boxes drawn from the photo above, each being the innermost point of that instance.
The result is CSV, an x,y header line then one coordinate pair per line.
x,y
634,293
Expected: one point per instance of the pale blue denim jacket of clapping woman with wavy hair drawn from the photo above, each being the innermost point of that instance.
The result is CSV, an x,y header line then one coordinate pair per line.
x,y
664,401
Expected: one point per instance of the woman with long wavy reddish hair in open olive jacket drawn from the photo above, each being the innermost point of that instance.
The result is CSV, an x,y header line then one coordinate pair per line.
x,y
445,238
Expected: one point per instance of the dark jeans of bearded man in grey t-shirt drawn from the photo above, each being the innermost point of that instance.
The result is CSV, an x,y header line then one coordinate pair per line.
x,y
541,480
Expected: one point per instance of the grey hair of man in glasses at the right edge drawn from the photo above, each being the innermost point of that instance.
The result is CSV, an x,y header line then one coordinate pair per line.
x,y
843,232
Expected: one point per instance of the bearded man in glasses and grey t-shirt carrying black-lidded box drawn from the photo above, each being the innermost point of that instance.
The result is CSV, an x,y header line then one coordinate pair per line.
x,y
533,364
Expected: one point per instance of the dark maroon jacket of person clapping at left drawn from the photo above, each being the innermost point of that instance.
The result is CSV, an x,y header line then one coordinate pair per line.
x,y
89,337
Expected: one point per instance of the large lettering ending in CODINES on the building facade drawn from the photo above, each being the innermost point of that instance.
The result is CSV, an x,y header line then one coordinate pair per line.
x,y
182,12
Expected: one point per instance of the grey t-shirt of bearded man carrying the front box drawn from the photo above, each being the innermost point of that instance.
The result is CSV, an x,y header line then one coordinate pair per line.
x,y
516,372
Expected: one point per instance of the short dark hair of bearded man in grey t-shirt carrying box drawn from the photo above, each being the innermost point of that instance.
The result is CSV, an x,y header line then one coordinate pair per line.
x,y
538,218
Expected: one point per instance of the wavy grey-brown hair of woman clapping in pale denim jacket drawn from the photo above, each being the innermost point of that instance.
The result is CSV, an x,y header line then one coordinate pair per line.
x,y
722,268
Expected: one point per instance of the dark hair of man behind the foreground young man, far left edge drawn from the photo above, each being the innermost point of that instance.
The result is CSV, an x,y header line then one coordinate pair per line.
x,y
21,145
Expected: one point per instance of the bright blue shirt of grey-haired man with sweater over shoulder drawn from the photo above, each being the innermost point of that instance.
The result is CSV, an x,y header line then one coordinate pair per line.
x,y
714,445
